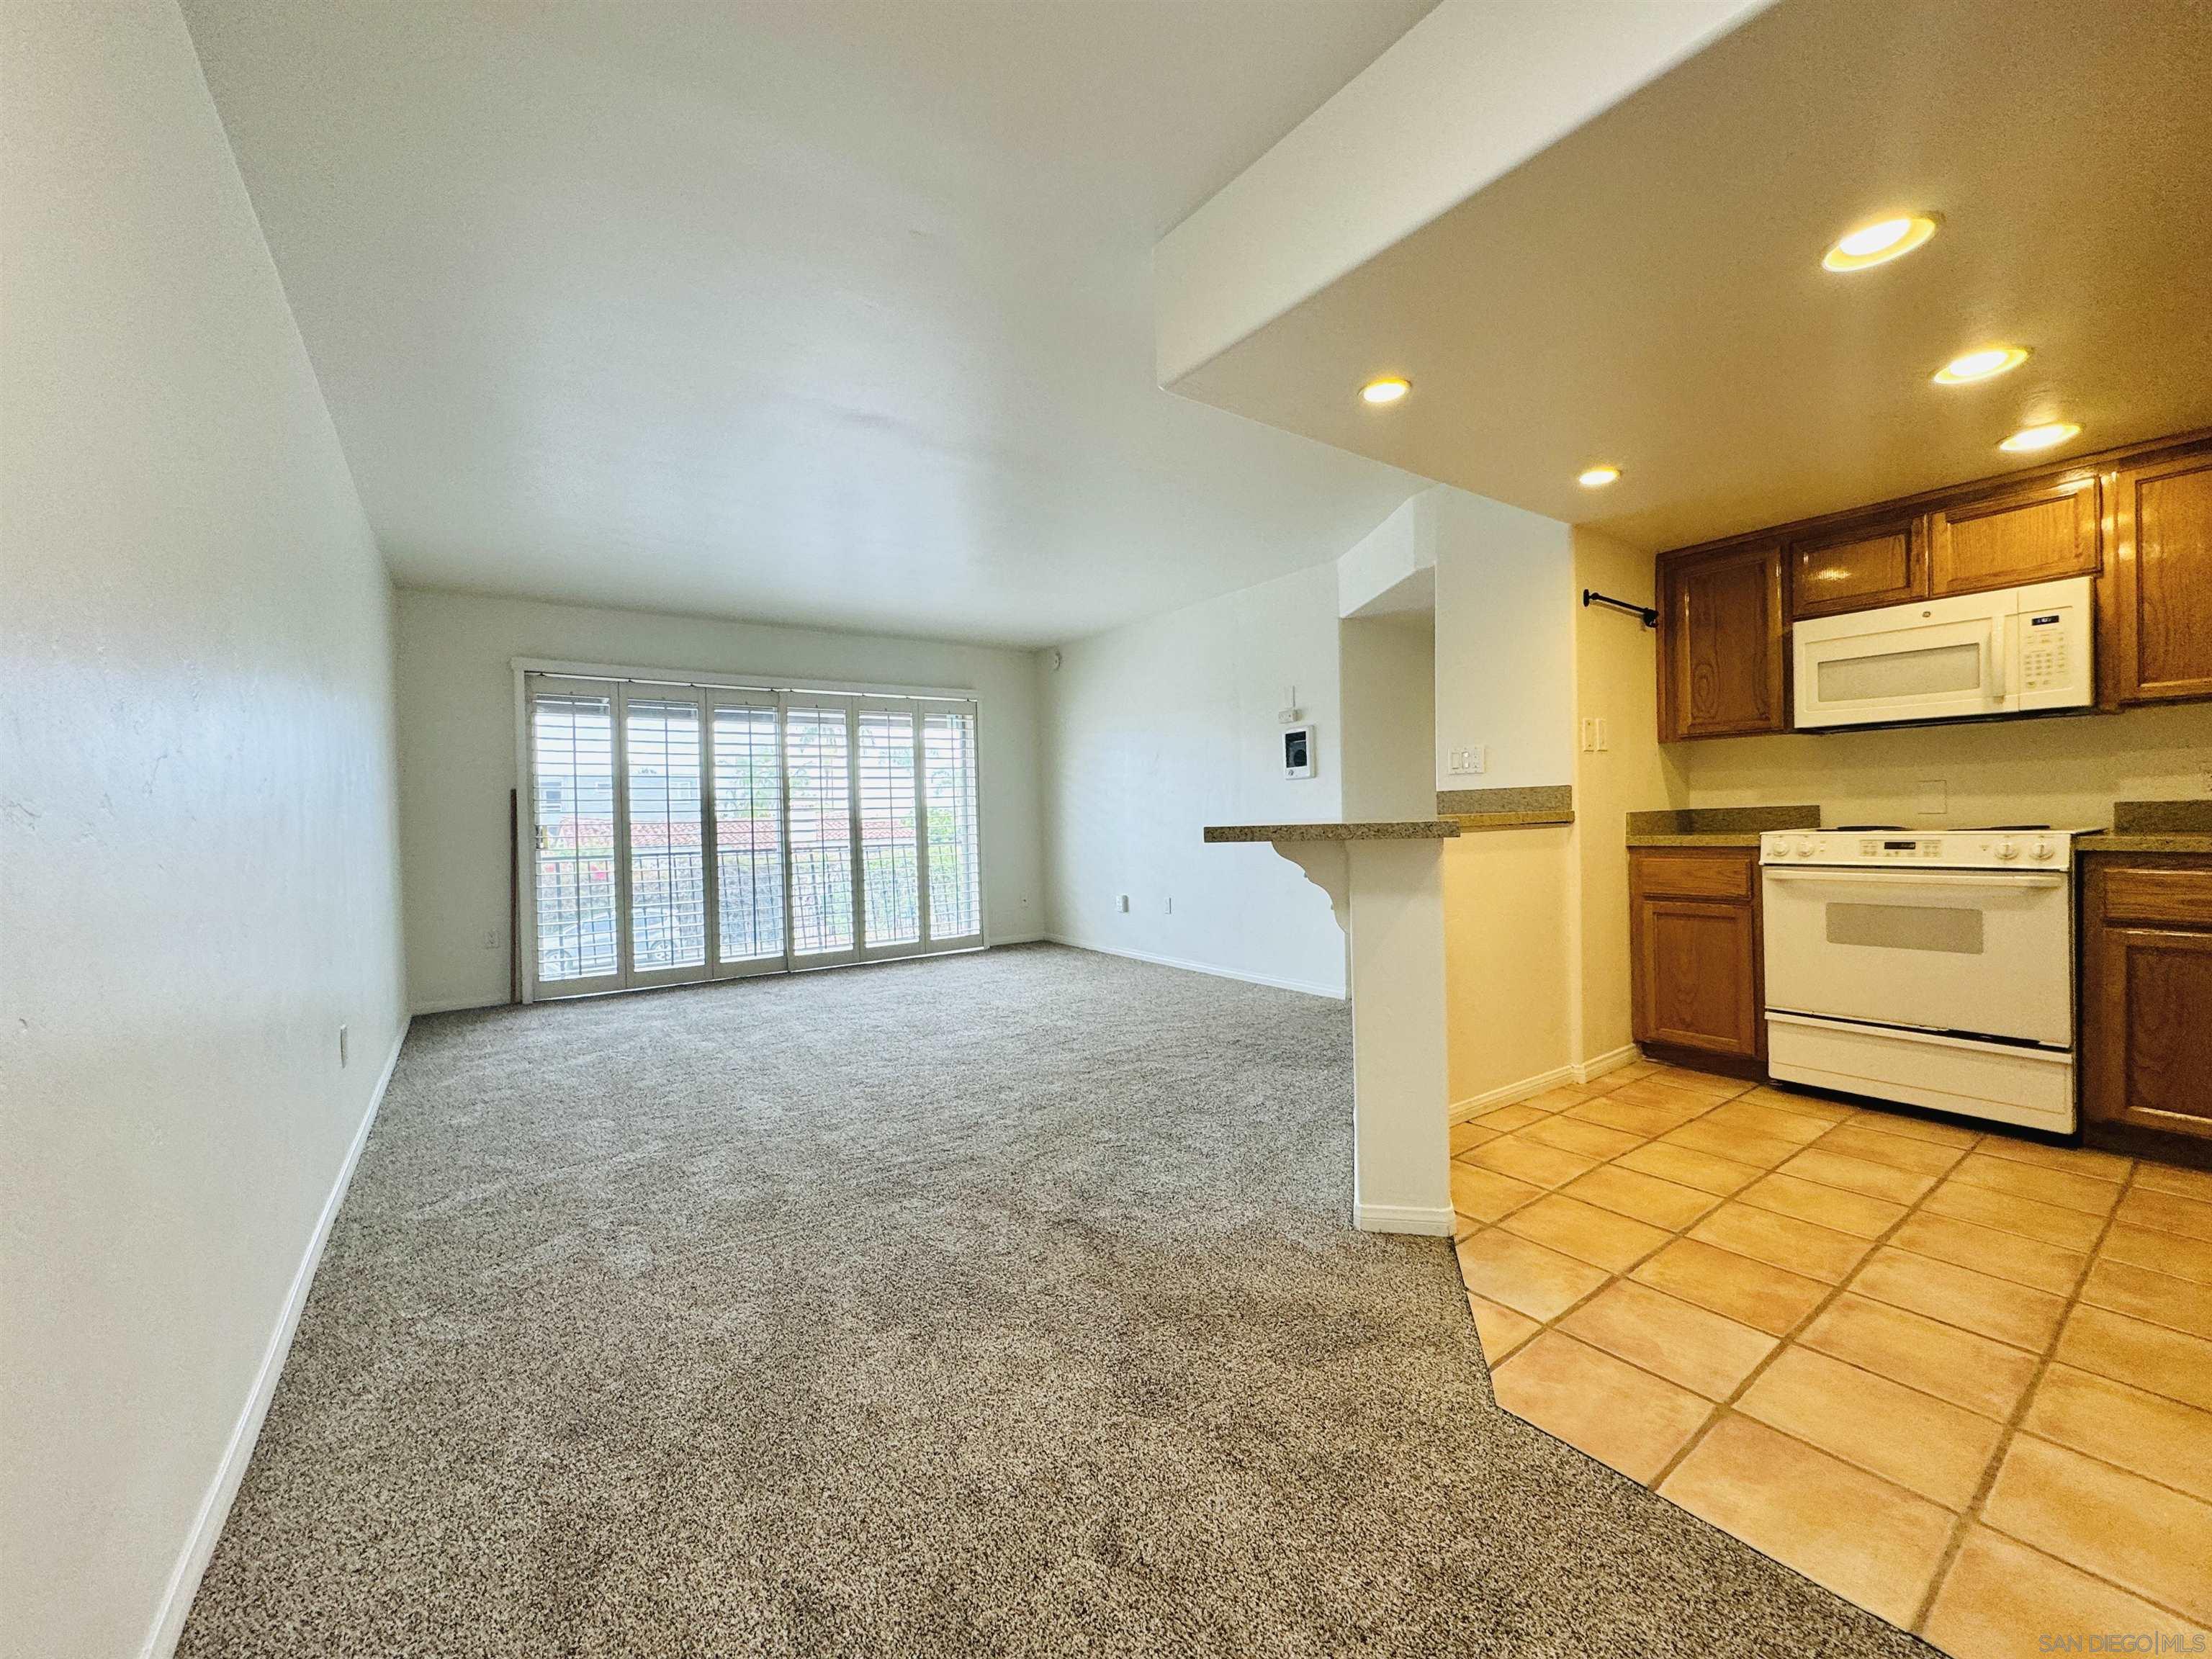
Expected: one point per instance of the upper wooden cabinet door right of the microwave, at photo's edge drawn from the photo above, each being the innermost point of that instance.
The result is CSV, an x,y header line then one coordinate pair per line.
x,y
2162,581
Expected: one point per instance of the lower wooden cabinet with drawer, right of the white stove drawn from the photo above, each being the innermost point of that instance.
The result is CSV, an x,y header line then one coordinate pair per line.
x,y
2147,994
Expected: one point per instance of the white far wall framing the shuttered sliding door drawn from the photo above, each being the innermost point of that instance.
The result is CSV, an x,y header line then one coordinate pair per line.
x,y
459,753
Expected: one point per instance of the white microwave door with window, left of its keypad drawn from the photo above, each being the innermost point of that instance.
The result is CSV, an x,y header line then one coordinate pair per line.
x,y
1937,660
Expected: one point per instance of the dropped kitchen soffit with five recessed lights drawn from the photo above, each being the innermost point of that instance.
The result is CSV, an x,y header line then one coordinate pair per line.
x,y
1649,293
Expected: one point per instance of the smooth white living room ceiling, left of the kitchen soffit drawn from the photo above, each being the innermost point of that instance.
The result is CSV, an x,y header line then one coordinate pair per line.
x,y
804,313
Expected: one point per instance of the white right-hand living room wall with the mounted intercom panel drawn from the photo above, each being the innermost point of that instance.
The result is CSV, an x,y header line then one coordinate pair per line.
x,y
1171,724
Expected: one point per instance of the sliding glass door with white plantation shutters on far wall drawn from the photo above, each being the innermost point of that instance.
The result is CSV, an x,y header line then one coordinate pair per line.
x,y
689,833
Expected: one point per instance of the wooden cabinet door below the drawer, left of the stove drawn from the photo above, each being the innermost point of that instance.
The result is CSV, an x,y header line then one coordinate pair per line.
x,y
1698,977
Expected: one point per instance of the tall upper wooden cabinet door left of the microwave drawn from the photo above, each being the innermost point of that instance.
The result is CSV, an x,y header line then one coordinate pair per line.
x,y
1722,667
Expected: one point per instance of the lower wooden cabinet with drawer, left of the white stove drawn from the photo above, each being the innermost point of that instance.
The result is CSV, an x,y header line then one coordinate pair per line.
x,y
1695,952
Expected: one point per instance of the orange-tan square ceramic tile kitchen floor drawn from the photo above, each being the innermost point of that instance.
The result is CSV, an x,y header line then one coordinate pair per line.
x,y
1961,1379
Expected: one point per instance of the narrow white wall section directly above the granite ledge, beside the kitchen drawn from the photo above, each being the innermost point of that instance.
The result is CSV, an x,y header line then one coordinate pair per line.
x,y
1505,643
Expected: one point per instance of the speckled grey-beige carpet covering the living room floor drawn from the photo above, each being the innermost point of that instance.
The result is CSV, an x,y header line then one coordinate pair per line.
x,y
988,1306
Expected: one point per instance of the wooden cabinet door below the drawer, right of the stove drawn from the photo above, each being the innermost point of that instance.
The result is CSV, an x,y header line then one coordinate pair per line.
x,y
2147,1008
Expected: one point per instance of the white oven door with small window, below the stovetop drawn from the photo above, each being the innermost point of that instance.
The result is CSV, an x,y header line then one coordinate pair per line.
x,y
1979,952
